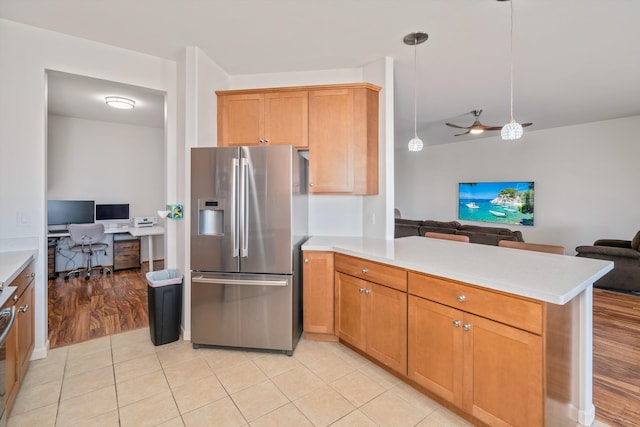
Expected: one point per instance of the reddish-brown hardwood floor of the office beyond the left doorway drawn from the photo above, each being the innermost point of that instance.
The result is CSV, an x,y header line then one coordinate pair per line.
x,y
80,310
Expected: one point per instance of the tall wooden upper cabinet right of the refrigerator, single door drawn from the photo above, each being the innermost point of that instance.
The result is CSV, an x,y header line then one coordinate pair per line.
x,y
343,140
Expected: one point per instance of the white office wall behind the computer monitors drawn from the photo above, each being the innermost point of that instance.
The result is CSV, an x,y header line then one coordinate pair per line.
x,y
101,161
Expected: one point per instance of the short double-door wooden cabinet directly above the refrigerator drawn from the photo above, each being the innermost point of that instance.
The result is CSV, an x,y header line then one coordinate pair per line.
x,y
255,117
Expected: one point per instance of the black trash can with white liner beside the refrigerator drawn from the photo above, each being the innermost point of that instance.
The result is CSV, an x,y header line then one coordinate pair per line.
x,y
164,297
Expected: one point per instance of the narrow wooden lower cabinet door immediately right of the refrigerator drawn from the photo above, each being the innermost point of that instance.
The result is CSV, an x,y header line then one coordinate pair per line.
x,y
318,292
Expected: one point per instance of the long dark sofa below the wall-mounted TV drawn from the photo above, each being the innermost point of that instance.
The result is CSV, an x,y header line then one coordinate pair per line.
x,y
476,233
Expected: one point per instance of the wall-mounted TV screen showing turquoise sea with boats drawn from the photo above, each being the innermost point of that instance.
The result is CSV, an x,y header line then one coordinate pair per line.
x,y
500,202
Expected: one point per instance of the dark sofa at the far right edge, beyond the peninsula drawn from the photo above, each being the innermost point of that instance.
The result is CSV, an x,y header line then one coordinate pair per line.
x,y
625,255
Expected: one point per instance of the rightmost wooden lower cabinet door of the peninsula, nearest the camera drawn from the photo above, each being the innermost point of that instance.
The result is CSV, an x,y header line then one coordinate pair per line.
x,y
503,380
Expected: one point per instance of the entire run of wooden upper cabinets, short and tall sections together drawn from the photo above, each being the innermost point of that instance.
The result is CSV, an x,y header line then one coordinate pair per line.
x,y
338,124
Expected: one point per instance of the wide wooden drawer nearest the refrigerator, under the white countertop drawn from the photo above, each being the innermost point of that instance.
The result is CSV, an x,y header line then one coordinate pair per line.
x,y
392,277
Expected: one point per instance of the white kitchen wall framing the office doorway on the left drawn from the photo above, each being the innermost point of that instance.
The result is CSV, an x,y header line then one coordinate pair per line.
x,y
26,53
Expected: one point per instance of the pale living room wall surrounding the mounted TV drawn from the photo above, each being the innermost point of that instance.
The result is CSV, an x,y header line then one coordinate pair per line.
x,y
585,179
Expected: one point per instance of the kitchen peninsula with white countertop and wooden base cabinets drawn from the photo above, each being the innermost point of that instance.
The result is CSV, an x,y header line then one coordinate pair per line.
x,y
502,335
